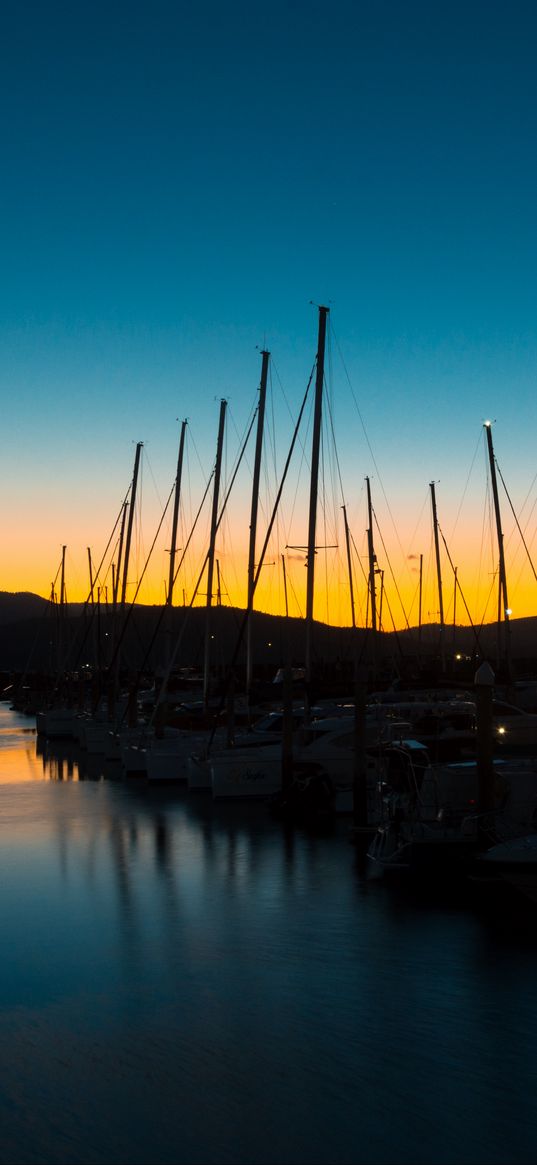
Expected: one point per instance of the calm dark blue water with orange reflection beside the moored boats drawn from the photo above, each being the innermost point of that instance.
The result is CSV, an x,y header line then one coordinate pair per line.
x,y
182,983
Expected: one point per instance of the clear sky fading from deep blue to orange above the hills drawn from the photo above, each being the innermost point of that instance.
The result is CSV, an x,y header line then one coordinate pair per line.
x,y
182,187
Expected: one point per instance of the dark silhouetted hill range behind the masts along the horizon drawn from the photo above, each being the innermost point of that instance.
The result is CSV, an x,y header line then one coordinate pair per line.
x,y
32,632
